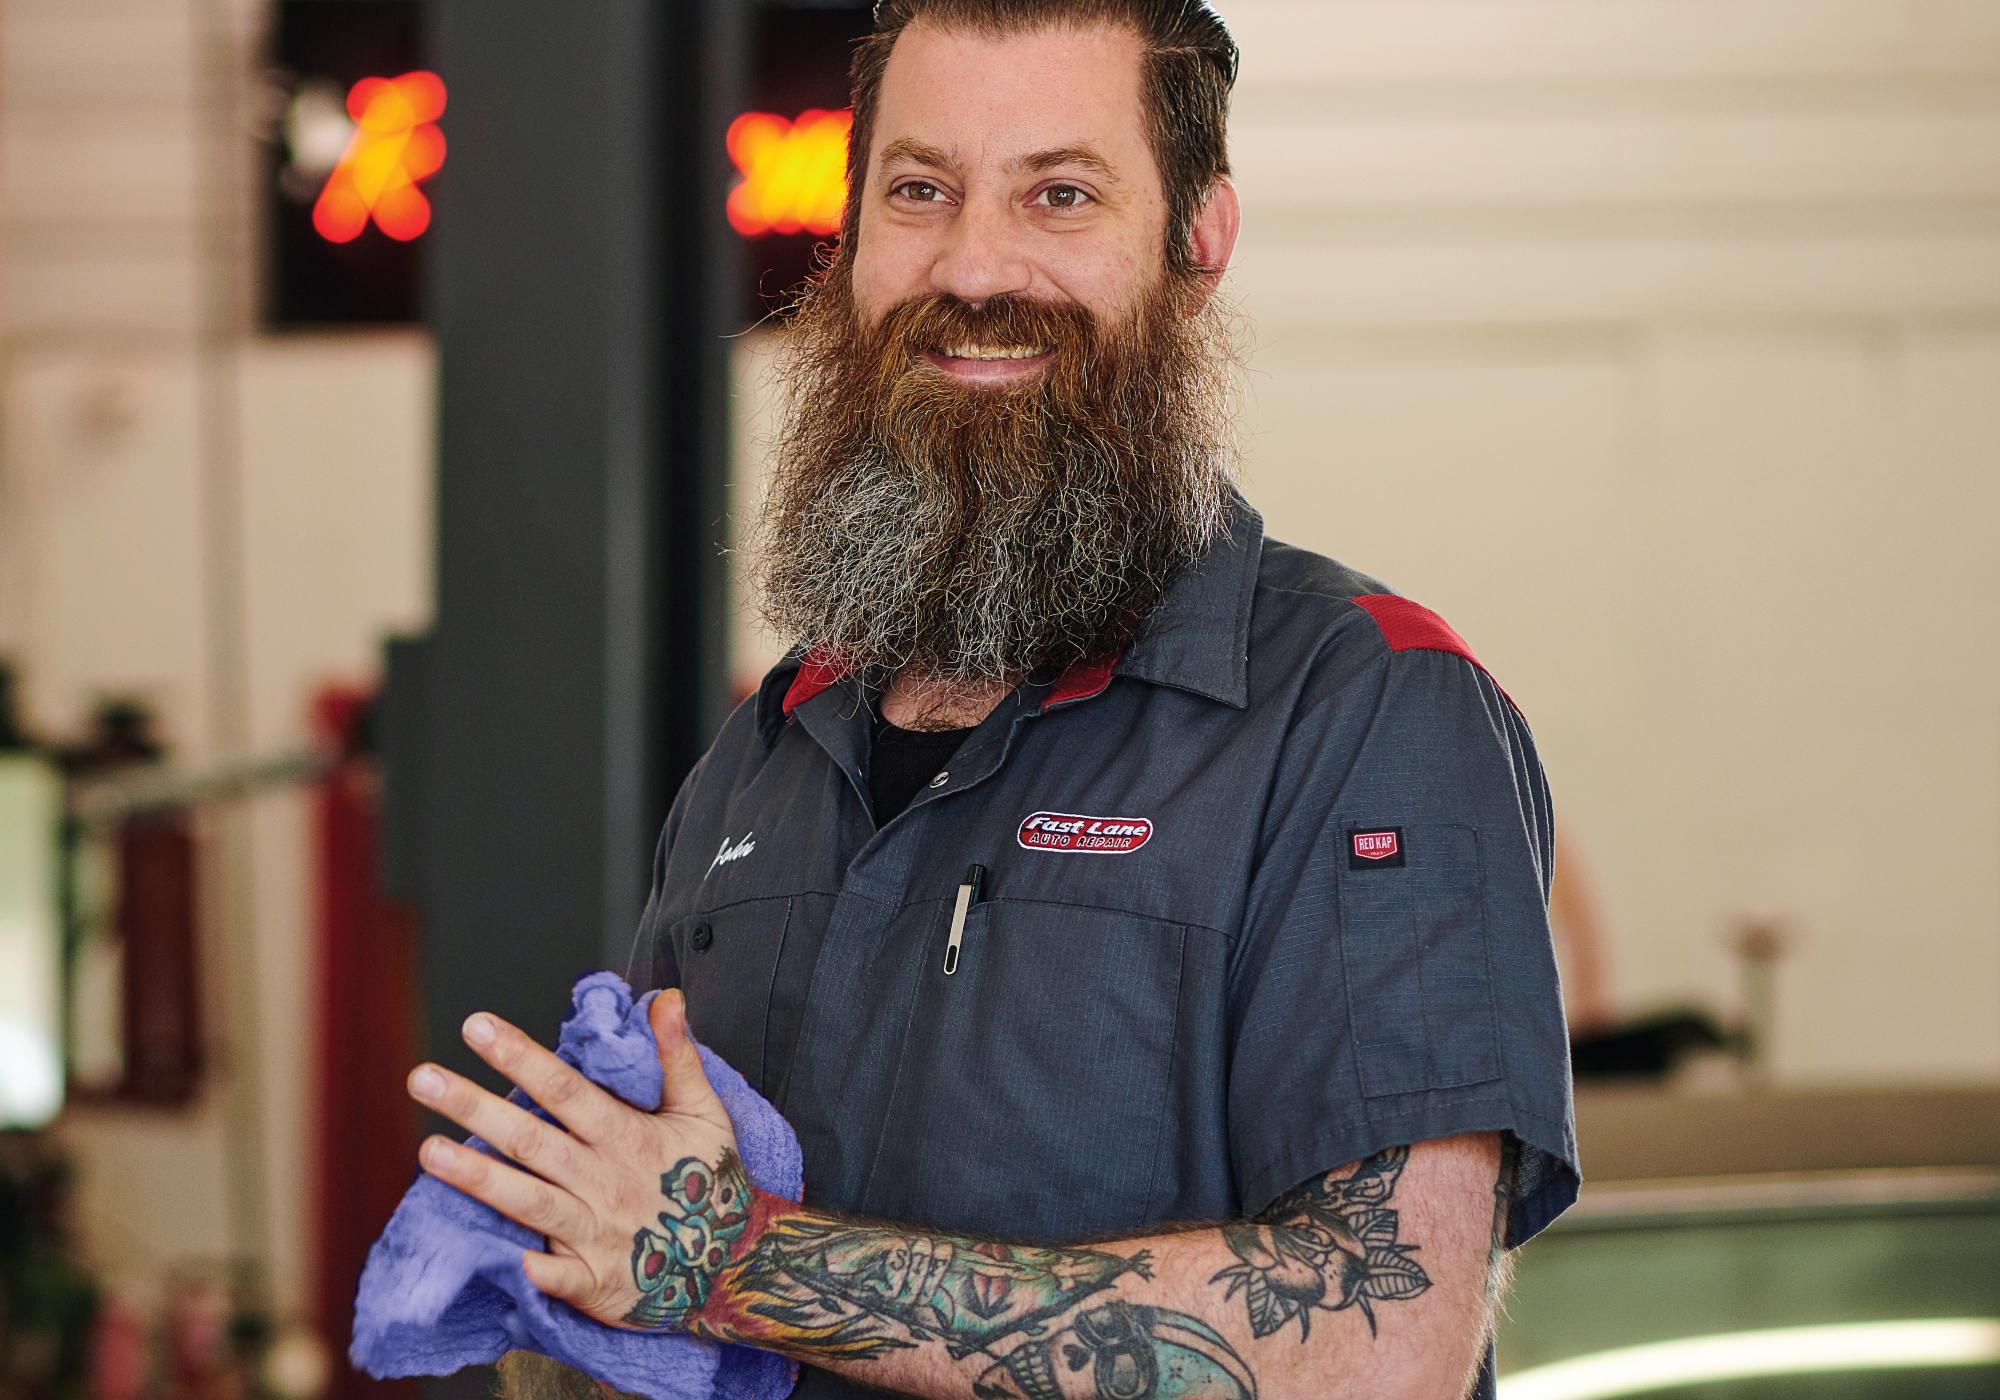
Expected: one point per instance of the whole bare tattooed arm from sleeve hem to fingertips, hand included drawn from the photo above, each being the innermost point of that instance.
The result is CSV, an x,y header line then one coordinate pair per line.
x,y
1369,1281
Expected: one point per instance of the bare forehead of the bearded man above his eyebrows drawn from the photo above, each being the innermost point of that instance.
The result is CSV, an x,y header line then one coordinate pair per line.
x,y
989,101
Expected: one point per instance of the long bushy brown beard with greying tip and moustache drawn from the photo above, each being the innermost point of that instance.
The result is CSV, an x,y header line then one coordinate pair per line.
x,y
975,535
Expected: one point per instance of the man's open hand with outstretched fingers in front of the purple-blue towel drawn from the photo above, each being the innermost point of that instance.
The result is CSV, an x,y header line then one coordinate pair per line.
x,y
595,1189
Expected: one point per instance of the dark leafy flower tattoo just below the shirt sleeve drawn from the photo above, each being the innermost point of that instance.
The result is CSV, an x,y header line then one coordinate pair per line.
x,y
1327,1245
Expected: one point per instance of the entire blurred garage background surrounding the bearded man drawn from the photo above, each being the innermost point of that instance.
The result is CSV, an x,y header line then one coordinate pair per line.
x,y
381,387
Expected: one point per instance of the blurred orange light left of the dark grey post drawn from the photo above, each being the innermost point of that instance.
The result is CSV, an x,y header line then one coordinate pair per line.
x,y
395,145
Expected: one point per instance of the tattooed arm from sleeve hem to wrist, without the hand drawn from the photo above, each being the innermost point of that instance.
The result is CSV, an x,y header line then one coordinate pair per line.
x,y
1367,1281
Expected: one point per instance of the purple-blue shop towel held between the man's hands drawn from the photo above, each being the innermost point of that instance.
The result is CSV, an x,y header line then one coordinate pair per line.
x,y
443,1287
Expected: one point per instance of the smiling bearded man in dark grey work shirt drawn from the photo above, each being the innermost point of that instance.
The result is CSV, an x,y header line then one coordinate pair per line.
x,y
1095,869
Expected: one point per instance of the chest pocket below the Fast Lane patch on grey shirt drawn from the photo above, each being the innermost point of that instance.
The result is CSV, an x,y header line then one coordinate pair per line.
x,y
1033,1087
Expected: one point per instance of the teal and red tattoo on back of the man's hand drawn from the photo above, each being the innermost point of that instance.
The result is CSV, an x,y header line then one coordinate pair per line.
x,y
675,1269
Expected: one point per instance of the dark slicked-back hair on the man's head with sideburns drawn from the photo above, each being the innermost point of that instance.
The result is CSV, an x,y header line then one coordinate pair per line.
x,y
1187,71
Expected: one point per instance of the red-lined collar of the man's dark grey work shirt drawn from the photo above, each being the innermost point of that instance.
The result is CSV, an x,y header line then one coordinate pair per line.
x,y
1197,639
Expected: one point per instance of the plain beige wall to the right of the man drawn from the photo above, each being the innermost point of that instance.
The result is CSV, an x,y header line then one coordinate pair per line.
x,y
1657,345
